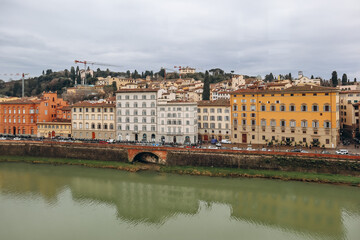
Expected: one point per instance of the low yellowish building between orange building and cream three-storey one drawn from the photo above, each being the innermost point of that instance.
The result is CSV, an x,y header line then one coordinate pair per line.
x,y
60,127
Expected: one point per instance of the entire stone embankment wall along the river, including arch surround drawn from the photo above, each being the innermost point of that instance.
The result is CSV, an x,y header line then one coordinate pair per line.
x,y
319,163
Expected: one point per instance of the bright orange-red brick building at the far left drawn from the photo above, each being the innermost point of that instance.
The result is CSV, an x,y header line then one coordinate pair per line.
x,y
19,117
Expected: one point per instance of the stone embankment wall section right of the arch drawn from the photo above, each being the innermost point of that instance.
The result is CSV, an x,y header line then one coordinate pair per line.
x,y
267,161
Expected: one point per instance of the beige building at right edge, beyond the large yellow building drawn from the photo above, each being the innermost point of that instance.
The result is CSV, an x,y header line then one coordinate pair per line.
x,y
348,101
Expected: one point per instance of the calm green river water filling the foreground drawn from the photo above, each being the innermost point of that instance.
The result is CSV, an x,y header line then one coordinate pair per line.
x,y
69,202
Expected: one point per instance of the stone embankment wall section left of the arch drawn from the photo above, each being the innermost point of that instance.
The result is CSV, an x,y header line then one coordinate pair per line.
x,y
64,151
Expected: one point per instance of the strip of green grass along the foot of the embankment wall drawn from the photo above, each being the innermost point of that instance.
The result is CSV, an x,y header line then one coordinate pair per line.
x,y
189,170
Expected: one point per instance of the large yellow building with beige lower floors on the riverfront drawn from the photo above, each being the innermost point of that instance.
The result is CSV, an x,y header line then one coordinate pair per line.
x,y
307,115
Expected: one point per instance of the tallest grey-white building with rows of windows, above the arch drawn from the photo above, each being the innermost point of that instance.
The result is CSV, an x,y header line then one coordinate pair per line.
x,y
136,114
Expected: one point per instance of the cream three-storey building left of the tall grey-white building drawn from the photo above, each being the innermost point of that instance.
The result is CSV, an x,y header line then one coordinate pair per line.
x,y
93,120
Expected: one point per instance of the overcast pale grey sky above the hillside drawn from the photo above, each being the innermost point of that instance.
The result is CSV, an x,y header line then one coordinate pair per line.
x,y
252,37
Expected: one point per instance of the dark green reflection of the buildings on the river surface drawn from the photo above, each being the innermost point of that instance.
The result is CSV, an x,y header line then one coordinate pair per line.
x,y
309,209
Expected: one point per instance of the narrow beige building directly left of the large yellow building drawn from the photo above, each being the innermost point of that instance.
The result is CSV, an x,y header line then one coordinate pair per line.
x,y
214,120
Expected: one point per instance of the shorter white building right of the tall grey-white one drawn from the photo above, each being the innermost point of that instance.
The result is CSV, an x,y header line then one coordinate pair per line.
x,y
177,122
